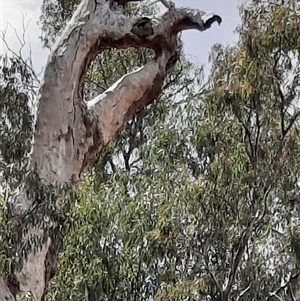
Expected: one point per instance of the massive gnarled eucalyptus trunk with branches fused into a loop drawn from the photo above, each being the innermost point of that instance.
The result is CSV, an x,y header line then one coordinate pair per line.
x,y
69,132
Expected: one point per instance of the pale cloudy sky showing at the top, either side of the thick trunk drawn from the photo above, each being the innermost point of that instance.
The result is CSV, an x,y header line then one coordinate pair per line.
x,y
197,44
